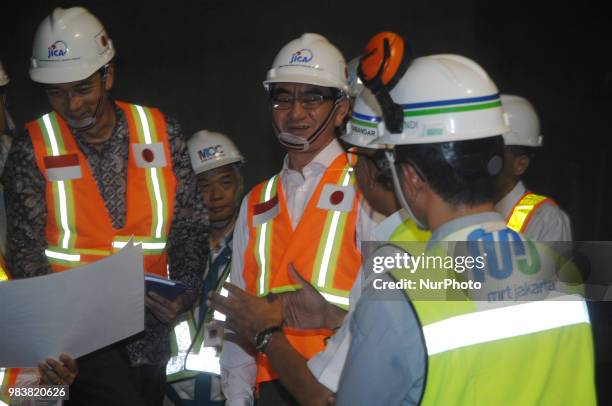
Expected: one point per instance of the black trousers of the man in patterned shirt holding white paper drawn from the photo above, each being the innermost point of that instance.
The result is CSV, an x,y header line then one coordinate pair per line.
x,y
106,378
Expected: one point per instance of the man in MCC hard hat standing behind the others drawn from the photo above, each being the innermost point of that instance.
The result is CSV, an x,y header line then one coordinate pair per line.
x,y
193,369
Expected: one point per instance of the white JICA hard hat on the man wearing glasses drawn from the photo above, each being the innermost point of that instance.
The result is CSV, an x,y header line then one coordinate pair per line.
x,y
310,59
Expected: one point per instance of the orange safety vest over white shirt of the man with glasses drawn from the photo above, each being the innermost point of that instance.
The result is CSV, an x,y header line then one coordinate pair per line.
x,y
322,248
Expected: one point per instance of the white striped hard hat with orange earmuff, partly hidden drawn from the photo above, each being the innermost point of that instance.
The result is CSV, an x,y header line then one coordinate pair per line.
x,y
362,128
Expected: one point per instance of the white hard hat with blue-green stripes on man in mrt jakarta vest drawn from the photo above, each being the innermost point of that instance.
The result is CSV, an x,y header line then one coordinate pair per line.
x,y
445,98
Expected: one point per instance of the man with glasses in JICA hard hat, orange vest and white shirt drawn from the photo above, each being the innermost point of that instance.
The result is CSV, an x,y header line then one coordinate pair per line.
x,y
310,214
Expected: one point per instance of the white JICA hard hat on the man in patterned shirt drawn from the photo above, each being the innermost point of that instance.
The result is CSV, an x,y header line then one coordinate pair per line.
x,y
69,45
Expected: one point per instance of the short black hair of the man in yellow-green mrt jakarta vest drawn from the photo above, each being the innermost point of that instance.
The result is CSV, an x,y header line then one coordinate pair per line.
x,y
462,172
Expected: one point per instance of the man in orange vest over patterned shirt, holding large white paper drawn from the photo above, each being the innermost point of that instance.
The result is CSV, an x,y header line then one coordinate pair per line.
x,y
107,170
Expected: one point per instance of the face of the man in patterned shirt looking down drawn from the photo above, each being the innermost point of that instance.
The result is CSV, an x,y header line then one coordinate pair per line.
x,y
75,101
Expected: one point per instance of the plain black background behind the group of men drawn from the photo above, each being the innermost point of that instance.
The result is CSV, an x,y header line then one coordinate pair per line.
x,y
203,63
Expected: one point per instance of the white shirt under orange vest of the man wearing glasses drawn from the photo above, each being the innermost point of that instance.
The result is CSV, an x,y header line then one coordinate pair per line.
x,y
238,368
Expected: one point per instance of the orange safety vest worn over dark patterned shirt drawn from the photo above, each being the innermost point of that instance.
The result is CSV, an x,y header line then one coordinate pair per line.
x,y
79,229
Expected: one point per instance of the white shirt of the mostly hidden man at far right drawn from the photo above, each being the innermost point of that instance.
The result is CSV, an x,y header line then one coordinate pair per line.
x,y
548,223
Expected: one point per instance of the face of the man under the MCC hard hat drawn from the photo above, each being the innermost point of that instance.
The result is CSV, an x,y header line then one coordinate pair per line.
x,y
220,189
